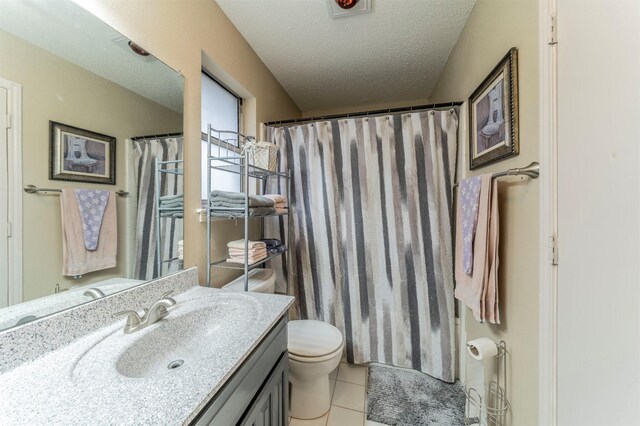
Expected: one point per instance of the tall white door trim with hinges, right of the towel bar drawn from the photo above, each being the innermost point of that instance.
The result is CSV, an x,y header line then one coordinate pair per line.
x,y
547,386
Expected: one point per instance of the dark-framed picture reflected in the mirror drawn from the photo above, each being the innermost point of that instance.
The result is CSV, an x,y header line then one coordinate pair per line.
x,y
81,155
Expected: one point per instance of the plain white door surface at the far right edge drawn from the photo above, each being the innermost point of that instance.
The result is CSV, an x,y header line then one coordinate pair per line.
x,y
599,212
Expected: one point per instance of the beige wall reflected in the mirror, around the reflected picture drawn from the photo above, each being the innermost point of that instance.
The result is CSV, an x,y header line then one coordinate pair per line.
x,y
57,90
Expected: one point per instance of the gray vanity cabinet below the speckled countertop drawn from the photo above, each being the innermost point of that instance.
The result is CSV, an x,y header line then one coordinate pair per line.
x,y
258,392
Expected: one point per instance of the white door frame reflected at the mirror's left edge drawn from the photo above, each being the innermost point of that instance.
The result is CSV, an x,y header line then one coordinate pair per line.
x,y
14,193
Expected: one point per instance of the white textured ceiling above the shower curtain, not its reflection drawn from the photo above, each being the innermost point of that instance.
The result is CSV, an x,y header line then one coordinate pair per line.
x,y
395,53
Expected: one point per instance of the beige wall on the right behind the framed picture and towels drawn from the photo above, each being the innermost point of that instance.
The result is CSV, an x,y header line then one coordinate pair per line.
x,y
493,28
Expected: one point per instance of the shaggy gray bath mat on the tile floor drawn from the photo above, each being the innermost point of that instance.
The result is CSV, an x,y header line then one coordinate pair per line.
x,y
398,396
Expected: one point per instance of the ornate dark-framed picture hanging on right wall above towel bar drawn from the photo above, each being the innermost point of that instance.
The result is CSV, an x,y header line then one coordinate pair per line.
x,y
493,115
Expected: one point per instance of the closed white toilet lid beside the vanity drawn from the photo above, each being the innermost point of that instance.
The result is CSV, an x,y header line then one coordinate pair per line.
x,y
313,338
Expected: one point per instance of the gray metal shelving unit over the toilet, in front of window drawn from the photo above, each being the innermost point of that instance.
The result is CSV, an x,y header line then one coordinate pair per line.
x,y
230,157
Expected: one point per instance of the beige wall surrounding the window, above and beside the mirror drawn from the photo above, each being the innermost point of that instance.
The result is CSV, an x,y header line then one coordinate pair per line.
x,y
186,34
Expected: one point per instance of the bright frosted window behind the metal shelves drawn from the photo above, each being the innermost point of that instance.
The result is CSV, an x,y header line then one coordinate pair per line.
x,y
220,108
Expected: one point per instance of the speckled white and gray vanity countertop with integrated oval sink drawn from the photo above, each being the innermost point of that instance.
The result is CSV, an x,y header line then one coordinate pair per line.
x,y
99,379
